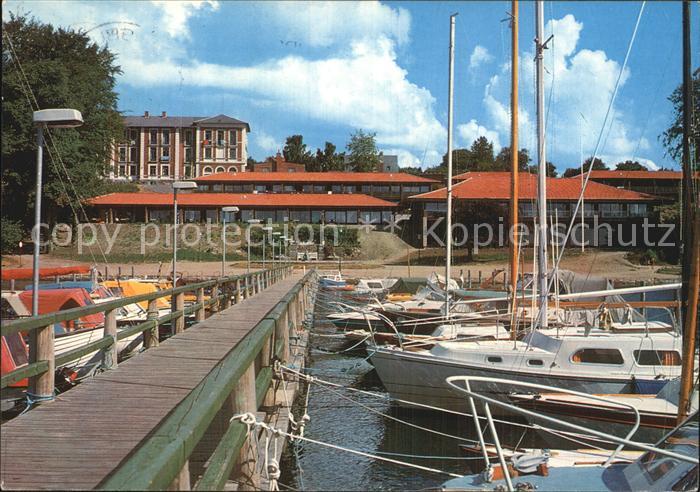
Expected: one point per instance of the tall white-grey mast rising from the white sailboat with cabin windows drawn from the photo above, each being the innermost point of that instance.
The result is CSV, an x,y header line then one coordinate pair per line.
x,y
541,168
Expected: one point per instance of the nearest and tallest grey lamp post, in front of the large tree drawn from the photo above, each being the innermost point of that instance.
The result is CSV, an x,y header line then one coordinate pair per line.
x,y
45,118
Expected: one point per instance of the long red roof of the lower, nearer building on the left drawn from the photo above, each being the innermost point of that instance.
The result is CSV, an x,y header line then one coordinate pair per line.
x,y
258,200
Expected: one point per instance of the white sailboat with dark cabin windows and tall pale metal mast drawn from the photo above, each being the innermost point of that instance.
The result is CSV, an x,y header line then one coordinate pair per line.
x,y
590,360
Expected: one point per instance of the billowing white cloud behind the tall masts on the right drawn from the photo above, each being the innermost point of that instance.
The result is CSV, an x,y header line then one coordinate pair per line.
x,y
583,82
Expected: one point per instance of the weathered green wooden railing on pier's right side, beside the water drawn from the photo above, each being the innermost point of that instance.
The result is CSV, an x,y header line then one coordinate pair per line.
x,y
238,384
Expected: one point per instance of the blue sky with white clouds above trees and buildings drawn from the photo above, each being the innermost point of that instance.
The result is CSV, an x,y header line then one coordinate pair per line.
x,y
326,69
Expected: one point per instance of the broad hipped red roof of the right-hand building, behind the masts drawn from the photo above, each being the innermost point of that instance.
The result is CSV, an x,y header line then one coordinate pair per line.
x,y
496,186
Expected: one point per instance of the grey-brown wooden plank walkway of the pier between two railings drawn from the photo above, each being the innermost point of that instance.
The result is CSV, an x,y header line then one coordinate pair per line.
x,y
77,440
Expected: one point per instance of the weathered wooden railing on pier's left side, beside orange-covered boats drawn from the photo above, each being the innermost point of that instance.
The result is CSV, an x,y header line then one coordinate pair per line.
x,y
43,361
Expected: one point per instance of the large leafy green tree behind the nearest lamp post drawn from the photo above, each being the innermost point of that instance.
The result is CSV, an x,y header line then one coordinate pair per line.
x,y
64,69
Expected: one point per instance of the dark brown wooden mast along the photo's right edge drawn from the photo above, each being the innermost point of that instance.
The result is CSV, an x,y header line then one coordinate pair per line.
x,y
691,223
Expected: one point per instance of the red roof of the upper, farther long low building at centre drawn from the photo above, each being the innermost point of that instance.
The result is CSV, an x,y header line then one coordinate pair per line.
x,y
314,177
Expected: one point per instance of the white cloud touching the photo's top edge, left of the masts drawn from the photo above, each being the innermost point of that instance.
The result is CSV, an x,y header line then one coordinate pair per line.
x,y
322,24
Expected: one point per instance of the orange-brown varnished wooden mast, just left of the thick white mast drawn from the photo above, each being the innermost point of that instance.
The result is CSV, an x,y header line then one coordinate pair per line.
x,y
514,163
